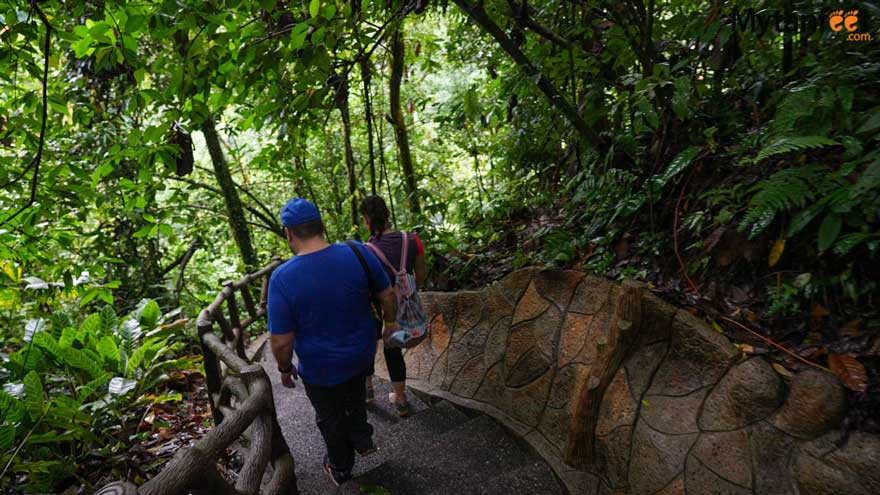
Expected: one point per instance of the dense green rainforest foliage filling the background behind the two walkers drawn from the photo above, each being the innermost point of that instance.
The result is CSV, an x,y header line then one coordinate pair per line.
x,y
727,159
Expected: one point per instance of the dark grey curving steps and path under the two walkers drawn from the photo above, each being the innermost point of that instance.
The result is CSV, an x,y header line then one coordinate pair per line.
x,y
440,449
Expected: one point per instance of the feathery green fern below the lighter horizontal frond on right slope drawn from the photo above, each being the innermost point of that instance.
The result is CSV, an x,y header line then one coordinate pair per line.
x,y
783,191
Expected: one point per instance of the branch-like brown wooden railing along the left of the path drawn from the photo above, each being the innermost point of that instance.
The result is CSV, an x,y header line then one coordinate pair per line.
x,y
241,400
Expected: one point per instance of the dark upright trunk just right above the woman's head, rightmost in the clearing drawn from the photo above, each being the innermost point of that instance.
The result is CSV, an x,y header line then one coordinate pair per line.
x,y
400,134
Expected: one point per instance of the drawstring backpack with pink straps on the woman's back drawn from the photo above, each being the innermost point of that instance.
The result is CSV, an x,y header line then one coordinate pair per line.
x,y
411,315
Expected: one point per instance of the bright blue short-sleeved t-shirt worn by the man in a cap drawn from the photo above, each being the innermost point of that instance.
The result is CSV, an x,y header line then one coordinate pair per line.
x,y
323,297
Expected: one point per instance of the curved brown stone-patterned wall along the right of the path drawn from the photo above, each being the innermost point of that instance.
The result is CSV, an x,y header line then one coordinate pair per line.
x,y
662,405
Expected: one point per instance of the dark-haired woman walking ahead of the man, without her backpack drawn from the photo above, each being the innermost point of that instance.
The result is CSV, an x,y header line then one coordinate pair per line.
x,y
391,247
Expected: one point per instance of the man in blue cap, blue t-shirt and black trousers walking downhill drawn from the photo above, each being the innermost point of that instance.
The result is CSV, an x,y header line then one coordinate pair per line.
x,y
320,304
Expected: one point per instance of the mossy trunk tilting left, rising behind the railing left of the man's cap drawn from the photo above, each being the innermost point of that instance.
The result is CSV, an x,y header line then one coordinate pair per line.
x,y
234,208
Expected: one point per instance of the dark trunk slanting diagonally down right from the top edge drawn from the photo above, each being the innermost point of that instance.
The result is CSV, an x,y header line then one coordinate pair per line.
x,y
553,95
